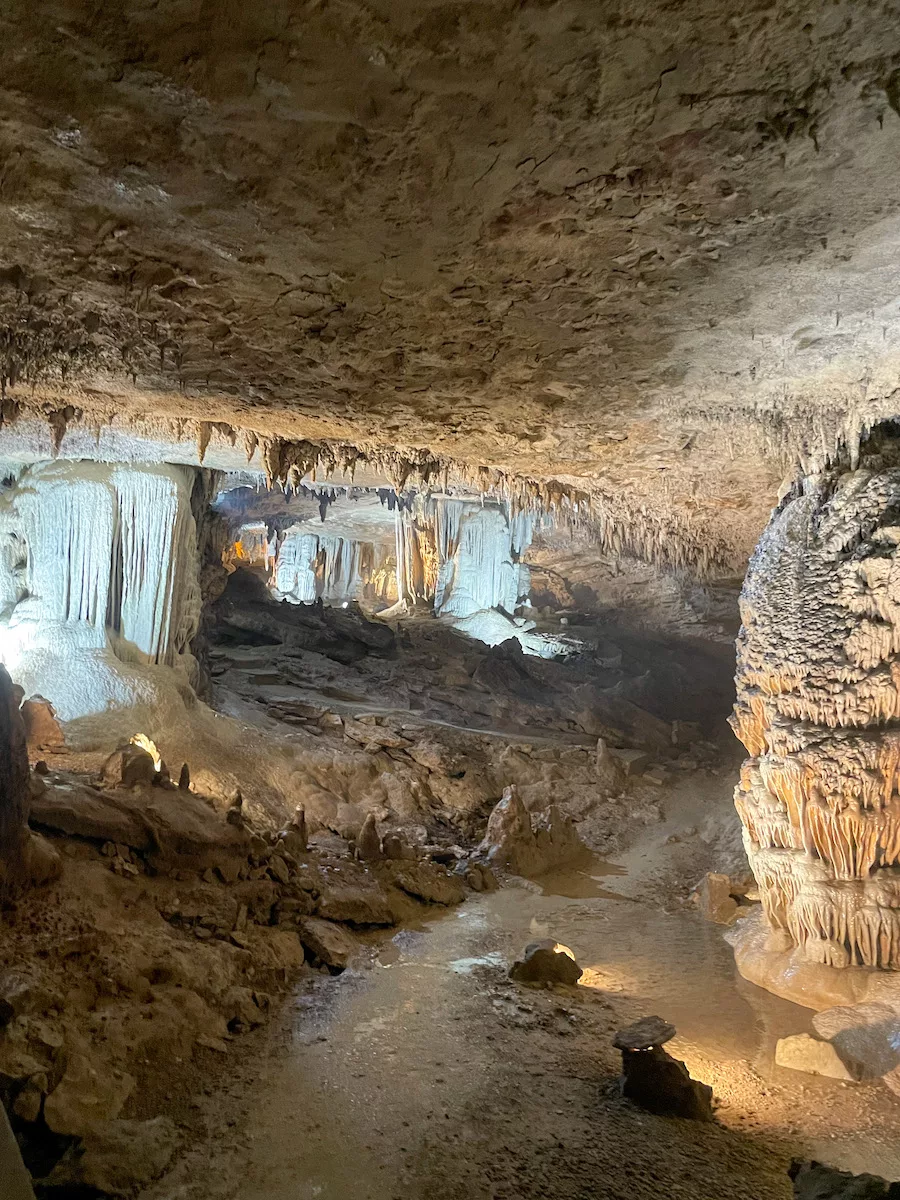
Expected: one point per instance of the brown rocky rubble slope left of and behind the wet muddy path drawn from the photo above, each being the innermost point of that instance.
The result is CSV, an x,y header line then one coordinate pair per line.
x,y
182,914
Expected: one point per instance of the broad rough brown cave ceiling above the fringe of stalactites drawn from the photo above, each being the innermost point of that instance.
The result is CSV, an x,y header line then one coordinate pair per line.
x,y
649,249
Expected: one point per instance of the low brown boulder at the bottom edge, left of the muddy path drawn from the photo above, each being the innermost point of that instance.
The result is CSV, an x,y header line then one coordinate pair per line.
x,y
118,1159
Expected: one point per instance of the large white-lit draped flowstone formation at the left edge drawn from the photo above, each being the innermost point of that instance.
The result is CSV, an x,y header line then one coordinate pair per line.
x,y
100,581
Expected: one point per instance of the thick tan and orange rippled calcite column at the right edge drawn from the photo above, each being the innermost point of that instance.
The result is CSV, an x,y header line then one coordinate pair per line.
x,y
819,711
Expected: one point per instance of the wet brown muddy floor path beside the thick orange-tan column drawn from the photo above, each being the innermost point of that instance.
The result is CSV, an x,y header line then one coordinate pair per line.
x,y
427,1073
